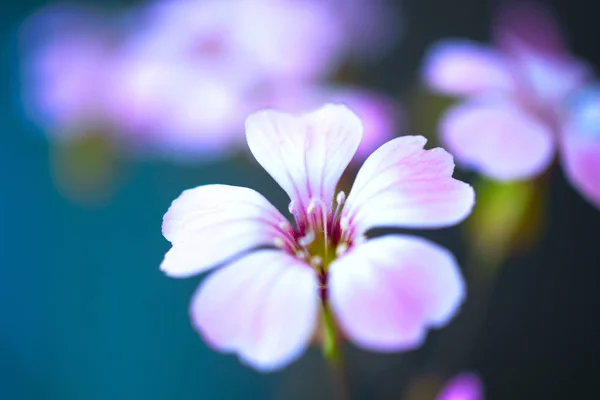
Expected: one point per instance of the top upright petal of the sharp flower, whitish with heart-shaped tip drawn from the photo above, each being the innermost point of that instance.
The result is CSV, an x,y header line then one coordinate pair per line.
x,y
305,154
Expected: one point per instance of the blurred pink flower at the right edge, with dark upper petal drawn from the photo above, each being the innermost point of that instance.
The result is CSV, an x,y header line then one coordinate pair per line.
x,y
520,105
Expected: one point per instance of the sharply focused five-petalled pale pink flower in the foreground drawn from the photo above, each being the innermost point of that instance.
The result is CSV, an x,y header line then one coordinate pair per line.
x,y
264,303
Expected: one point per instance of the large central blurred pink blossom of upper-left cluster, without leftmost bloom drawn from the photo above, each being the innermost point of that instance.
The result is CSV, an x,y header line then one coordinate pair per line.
x,y
198,68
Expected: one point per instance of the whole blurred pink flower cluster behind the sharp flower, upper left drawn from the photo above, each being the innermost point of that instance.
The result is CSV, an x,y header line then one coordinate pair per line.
x,y
179,76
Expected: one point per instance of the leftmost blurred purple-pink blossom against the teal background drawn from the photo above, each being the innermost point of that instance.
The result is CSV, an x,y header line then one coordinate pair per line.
x,y
64,67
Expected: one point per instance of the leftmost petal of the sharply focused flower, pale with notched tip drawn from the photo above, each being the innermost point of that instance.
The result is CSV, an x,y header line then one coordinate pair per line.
x,y
210,224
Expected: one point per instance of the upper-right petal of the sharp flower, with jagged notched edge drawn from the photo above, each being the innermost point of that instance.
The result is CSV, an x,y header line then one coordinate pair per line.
x,y
403,185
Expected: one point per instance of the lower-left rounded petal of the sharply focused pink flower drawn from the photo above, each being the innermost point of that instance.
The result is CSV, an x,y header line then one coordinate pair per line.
x,y
262,307
